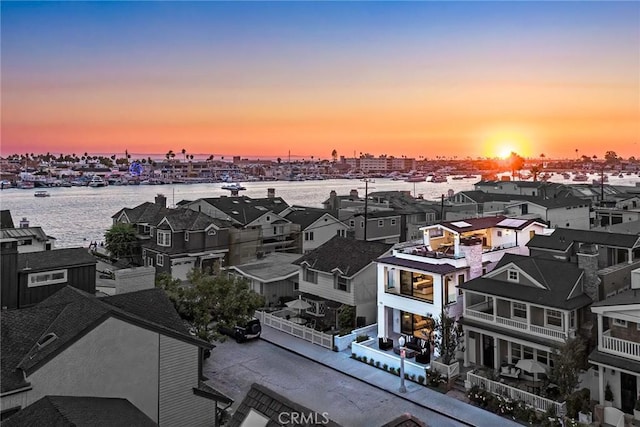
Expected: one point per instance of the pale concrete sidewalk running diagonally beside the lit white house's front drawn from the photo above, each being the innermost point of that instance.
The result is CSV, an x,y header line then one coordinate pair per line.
x,y
417,394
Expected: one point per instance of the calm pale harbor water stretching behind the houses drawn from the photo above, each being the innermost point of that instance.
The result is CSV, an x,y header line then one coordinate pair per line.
x,y
77,215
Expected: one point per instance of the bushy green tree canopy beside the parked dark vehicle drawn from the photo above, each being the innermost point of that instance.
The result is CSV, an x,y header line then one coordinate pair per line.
x,y
222,299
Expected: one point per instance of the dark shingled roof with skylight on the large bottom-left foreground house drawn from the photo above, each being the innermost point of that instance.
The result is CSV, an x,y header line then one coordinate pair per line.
x,y
71,313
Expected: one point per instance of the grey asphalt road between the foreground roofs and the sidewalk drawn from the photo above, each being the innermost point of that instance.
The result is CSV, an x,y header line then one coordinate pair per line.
x,y
233,367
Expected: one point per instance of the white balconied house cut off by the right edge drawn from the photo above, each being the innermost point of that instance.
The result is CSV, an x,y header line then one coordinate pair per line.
x,y
617,355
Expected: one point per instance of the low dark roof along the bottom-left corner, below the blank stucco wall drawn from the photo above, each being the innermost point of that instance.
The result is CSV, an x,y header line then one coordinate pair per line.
x,y
74,411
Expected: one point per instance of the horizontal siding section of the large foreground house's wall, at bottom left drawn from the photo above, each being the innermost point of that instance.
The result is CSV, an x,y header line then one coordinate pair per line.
x,y
179,406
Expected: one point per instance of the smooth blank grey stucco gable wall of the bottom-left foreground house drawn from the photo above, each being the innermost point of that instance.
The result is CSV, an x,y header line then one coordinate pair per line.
x,y
116,359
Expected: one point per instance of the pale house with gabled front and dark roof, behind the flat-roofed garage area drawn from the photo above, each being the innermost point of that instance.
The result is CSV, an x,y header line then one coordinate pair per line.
x,y
317,226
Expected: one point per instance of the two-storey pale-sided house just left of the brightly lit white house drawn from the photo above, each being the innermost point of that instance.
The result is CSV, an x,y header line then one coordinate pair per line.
x,y
341,272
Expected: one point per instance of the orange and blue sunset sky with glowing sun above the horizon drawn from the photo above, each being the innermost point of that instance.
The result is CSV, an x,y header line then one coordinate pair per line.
x,y
268,78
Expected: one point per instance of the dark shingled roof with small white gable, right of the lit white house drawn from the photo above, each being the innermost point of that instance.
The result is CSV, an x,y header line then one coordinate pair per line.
x,y
557,277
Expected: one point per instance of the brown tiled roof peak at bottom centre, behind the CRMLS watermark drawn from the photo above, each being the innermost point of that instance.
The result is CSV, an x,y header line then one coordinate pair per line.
x,y
271,404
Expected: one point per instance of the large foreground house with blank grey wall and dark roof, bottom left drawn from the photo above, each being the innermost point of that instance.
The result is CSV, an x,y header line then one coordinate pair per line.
x,y
132,346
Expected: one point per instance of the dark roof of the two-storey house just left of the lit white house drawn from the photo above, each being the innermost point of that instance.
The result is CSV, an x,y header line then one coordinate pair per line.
x,y
348,255
